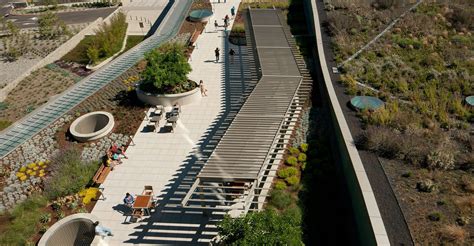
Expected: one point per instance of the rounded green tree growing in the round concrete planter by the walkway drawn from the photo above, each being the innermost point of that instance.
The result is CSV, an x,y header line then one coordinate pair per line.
x,y
166,68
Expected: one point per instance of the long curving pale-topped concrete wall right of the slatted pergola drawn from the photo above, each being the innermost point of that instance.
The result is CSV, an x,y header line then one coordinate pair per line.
x,y
370,226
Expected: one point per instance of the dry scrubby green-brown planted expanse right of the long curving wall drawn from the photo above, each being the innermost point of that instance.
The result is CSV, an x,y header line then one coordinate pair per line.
x,y
423,69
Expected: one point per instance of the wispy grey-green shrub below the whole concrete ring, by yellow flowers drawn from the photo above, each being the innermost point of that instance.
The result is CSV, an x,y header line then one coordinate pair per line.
x,y
70,174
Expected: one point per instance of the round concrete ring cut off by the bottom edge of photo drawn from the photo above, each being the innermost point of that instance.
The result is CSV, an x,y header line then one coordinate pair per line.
x,y
76,229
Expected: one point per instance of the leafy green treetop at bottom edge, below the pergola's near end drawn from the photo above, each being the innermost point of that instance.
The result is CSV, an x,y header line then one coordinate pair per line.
x,y
263,228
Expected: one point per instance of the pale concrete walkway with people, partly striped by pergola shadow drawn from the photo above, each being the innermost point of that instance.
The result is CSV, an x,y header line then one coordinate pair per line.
x,y
170,161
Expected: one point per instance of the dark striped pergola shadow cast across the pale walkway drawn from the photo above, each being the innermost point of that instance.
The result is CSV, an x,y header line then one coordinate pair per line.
x,y
172,223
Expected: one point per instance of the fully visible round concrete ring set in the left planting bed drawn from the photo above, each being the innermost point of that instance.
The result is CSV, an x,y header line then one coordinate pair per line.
x,y
92,126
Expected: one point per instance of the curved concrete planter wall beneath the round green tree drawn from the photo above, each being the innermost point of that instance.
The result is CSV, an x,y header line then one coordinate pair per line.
x,y
169,99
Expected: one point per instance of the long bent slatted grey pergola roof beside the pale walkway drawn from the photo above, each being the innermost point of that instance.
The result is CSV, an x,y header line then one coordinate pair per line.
x,y
238,174
